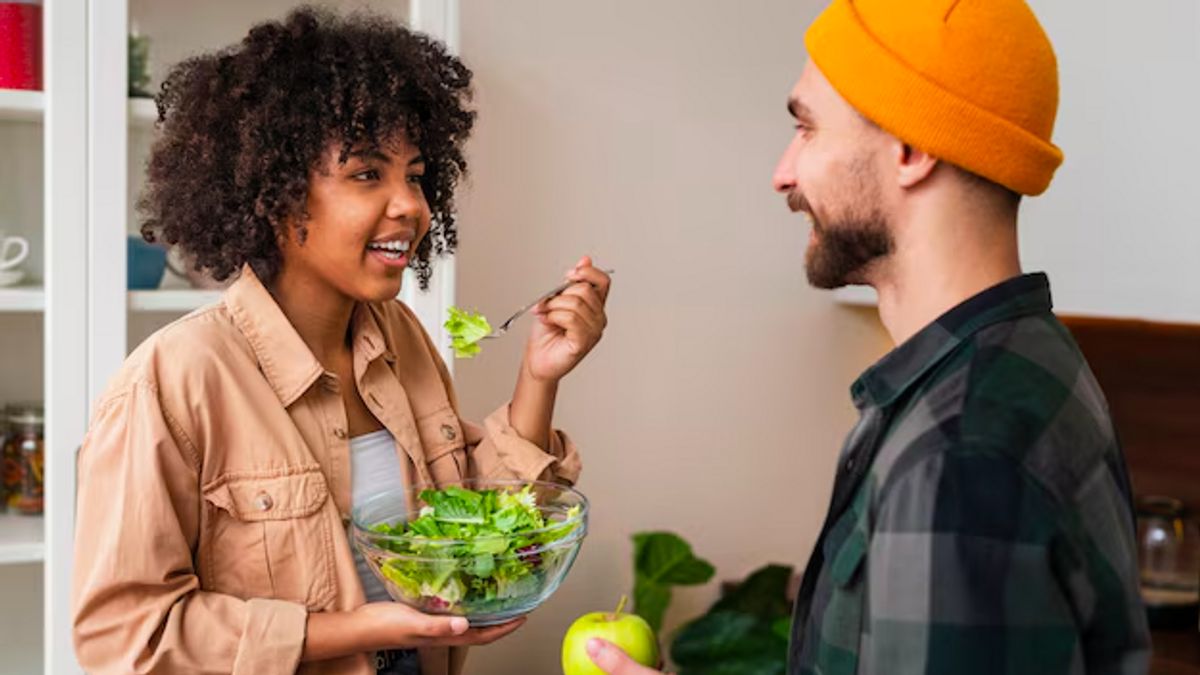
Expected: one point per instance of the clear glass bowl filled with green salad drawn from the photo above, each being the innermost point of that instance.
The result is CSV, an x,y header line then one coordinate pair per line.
x,y
489,551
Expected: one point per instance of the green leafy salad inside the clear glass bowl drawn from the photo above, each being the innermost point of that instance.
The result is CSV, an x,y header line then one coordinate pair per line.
x,y
476,551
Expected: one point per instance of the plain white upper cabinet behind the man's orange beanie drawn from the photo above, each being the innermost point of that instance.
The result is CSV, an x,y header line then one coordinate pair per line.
x,y
1119,231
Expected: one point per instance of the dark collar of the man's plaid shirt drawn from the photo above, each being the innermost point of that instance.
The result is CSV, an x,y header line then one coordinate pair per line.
x,y
895,374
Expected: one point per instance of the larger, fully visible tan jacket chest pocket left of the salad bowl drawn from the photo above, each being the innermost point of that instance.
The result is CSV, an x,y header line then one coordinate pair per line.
x,y
269,536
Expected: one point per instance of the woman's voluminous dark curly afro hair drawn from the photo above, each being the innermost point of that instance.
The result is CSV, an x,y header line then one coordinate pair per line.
x,y
242,129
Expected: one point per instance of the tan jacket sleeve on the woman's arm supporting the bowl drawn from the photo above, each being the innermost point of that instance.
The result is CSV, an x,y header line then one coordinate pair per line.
x,y
136,600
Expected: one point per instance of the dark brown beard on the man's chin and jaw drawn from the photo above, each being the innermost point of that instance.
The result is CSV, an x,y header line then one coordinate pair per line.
x,y
842,254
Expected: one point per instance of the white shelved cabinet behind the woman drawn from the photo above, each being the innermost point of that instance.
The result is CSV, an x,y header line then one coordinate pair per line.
x,y
74,166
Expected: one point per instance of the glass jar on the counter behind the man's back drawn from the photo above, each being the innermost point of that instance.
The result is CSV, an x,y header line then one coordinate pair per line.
x,y
1169,561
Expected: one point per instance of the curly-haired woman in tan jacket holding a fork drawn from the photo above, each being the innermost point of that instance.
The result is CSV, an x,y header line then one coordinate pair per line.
x,y
316,162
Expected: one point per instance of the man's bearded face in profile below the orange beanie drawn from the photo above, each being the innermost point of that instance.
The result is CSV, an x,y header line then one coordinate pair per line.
x,y
832,172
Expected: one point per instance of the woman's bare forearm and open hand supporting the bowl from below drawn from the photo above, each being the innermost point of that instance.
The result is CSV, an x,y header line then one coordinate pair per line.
x,y
388,626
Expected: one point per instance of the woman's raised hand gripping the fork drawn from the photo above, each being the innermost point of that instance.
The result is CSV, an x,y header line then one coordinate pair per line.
x,y
569,325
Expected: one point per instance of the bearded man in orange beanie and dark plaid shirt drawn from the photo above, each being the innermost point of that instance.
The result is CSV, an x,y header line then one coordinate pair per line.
x,y
981,518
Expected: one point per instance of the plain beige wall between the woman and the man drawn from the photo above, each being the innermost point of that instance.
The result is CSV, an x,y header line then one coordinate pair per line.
x,y
646,134
